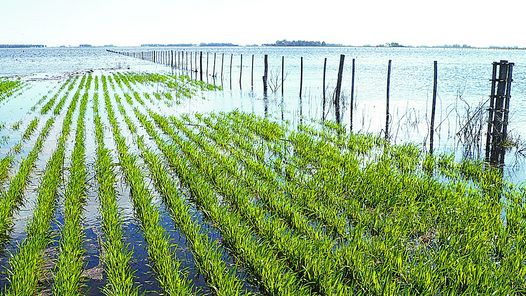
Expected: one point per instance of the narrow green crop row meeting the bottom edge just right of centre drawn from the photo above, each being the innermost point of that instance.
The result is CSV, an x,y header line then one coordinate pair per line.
x,y
272,273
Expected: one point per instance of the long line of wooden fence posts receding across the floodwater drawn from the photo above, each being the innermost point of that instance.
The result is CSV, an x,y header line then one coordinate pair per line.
x,y
498,111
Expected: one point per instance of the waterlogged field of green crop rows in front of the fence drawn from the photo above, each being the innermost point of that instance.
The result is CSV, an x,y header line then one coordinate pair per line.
x,y
109,187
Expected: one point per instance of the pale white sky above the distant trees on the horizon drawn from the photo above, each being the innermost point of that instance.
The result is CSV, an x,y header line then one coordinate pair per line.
x,y
351,22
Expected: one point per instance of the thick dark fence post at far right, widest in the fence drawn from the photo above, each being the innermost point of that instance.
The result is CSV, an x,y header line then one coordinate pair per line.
x,y
498,112
